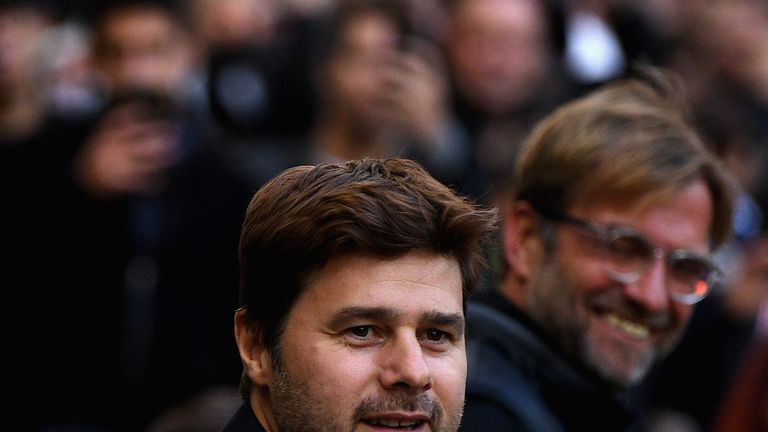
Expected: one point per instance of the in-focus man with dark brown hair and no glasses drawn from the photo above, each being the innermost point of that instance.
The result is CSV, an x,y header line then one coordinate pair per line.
x,y
354,280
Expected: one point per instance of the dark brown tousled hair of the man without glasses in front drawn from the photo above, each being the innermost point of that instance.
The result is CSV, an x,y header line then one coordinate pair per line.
x,y
375,207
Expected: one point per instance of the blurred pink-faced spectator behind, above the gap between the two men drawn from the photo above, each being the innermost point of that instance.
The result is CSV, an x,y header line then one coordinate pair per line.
x,y
506,75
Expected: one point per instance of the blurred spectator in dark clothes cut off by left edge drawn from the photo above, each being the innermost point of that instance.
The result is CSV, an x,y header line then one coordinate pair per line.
x,y
36,140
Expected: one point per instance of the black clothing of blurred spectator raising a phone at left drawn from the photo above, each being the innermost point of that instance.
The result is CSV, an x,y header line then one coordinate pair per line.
x,y
132,296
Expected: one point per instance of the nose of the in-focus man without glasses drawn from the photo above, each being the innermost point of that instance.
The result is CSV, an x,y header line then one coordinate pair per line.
x,y
404,365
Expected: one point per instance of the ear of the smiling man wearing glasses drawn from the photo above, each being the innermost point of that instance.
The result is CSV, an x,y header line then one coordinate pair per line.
x,y
521,239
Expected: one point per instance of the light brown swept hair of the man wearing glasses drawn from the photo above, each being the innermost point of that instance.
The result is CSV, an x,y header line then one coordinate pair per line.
x,y
627,142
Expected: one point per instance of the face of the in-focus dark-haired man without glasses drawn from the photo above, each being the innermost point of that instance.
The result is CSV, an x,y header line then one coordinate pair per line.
x,y
374,345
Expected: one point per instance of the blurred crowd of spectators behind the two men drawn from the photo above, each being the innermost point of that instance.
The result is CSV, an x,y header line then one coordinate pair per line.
x,y
133,134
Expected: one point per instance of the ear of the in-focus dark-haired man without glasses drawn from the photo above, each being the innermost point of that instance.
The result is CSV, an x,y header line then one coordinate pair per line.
x,y
253,350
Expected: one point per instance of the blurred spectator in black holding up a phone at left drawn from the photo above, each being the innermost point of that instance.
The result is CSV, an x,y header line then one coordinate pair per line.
x,y
145,246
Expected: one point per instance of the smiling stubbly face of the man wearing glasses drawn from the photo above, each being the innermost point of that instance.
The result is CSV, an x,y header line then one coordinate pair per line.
x,y
618,330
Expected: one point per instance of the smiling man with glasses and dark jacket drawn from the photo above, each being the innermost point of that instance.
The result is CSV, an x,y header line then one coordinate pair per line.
x,y
607,243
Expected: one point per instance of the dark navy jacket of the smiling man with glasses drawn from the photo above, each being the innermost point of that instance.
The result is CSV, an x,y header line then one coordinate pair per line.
x,y
518,382
